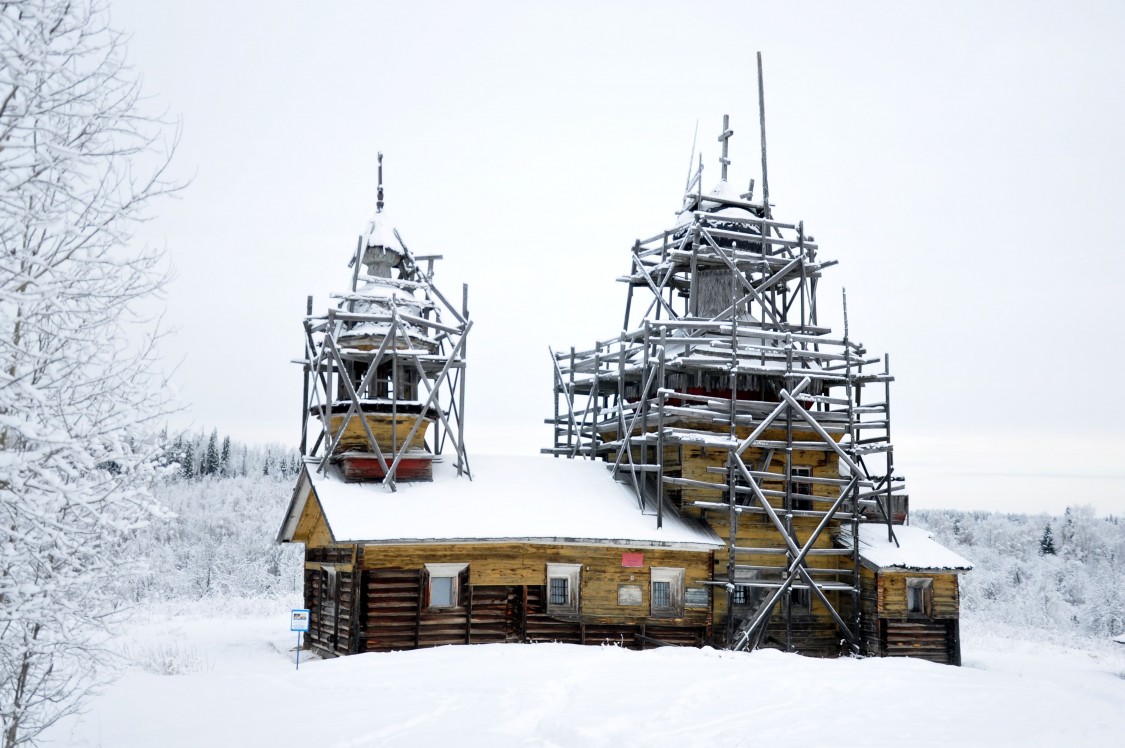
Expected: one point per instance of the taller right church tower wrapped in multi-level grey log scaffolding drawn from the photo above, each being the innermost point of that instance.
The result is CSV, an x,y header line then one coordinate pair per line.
x,y
723,385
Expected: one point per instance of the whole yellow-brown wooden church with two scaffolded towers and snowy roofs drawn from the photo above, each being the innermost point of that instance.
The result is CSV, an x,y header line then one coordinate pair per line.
x,y
733,480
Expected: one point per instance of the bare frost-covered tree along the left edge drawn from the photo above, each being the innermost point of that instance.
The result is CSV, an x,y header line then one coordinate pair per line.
x,y
79,399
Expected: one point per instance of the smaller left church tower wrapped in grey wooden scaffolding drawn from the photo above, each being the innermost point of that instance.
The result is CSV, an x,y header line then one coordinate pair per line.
x,y
385,370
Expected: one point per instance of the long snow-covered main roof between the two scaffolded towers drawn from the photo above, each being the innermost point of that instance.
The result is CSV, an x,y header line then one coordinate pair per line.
x,y
528,499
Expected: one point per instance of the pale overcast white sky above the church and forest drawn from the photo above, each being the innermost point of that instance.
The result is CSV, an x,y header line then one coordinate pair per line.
x,y
962,161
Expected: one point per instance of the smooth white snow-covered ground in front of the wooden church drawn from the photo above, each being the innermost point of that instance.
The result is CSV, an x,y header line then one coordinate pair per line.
x,y
206,679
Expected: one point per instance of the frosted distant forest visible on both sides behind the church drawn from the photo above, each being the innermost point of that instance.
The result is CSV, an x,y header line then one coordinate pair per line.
x,y
226,501
